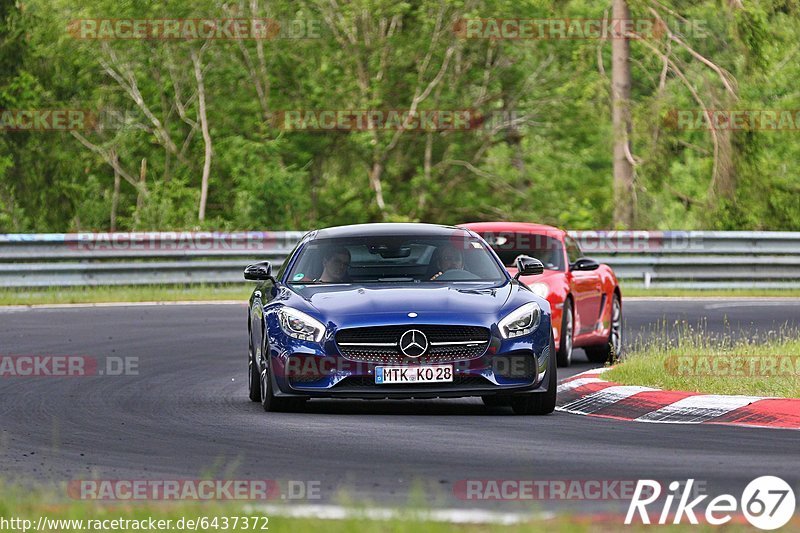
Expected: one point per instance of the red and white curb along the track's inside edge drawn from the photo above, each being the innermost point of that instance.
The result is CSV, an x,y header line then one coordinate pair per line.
x,y
588,394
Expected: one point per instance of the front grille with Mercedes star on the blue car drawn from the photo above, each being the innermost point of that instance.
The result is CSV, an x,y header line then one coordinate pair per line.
x,y
381,344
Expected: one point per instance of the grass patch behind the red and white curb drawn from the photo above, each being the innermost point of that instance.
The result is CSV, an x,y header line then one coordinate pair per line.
x,y
700,363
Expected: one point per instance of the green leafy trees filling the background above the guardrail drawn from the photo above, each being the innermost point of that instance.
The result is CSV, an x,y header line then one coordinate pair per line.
x,y
547,158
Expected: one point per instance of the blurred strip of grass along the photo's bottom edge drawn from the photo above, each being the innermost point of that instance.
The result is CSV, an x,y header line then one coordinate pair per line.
x,y
24,510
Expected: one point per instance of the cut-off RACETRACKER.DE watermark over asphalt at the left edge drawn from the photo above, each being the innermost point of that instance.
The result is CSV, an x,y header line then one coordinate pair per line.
x,y
23,366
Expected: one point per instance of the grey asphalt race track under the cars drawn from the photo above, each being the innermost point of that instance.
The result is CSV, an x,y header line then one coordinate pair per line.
x,y
186,415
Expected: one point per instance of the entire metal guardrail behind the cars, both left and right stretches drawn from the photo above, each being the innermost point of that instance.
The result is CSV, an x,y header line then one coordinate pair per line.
x,y
669,259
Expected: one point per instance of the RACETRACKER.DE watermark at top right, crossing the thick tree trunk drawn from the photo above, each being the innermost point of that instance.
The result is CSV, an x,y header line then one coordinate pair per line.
x,y
577,29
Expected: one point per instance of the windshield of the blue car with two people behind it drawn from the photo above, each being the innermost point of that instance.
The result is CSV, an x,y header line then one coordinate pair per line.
x,y
400,258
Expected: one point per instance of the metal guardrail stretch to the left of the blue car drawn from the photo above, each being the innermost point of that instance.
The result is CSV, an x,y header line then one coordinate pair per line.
x,y
138,258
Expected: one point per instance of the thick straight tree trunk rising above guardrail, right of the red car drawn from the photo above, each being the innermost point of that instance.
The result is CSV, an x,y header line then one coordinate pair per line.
x,y
624,208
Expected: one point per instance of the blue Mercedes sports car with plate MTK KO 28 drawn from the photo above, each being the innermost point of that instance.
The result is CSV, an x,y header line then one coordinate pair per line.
x,y
398,311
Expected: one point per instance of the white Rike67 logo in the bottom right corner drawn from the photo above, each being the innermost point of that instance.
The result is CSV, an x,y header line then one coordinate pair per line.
x,y
768,502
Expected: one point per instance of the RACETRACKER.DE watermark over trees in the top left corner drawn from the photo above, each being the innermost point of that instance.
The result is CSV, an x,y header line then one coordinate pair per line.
x,y
184,29
